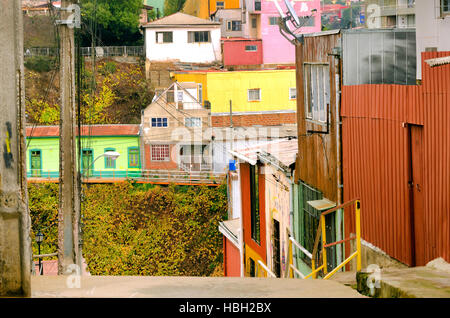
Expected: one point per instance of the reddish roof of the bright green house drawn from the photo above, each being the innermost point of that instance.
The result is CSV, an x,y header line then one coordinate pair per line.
x,y
94,130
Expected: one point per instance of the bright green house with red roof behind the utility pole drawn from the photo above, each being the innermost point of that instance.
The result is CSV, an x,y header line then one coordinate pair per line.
x,y
43,151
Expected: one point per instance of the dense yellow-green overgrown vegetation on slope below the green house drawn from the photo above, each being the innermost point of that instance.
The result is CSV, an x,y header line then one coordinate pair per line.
x,y
140,230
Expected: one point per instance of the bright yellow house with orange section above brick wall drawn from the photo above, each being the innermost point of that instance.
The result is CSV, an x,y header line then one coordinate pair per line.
x,y
248,91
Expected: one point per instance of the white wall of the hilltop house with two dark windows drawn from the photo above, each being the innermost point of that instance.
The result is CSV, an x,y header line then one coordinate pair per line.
x,y
180,49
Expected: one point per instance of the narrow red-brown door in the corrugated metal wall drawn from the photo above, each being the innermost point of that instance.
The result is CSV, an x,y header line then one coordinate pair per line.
x,y
417,192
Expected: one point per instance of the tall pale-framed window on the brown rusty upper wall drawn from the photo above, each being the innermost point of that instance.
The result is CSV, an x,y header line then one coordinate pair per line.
x,y
317,91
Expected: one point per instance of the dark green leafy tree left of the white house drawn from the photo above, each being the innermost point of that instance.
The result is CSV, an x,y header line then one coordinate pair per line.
x,y
114,22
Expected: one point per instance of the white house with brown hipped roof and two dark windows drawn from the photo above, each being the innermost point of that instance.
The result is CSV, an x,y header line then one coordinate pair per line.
x,y
184,38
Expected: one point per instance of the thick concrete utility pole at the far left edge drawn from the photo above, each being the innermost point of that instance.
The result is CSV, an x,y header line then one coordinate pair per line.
x,y
15,243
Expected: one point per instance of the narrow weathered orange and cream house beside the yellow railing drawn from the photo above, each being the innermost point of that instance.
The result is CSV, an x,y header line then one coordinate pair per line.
x,y
260,190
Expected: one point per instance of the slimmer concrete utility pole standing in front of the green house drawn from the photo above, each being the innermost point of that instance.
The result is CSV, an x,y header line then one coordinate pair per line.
x,y
69,208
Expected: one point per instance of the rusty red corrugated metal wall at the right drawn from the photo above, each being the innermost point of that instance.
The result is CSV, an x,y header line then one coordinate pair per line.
x,y
376,161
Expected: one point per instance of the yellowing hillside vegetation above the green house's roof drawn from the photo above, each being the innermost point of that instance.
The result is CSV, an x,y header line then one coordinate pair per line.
x,y
117,95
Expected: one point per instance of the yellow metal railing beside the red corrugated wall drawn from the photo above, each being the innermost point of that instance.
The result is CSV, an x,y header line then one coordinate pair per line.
x,y
321,237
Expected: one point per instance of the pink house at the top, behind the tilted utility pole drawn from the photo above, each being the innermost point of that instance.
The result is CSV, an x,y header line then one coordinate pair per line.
x,y
262,17
